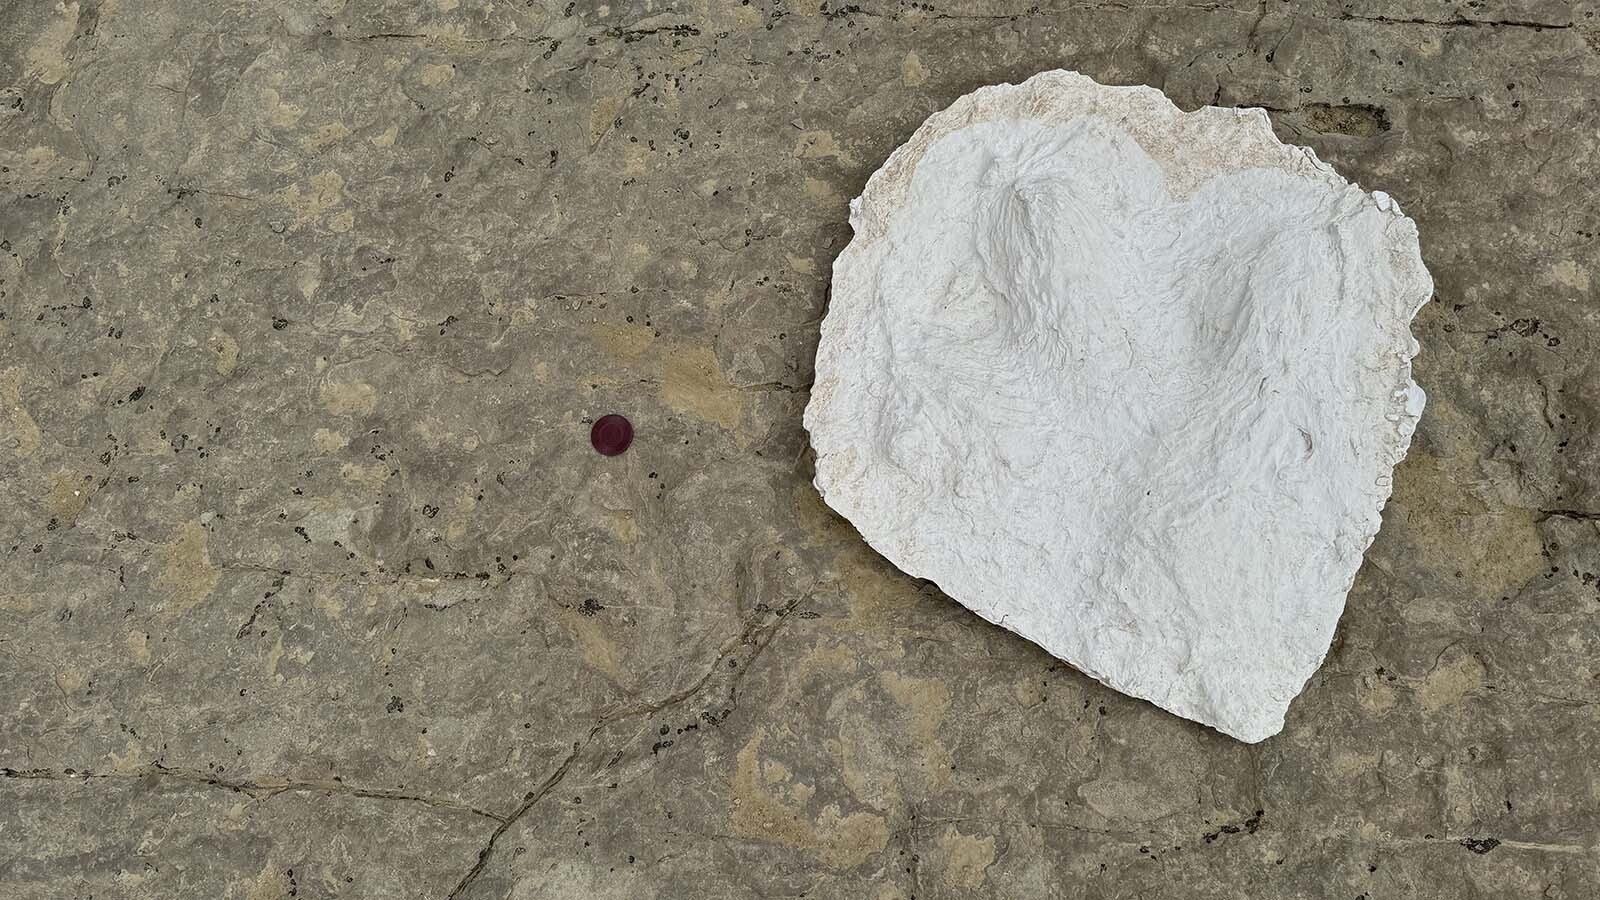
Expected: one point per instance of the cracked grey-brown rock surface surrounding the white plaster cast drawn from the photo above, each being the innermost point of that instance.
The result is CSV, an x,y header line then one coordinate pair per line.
x,y
313,587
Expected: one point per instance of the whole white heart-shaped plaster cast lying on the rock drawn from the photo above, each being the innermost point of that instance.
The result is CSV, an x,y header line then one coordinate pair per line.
x,y
1126,380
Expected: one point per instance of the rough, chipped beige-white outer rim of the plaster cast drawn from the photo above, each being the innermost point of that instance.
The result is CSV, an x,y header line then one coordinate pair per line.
x,y
1236,139
